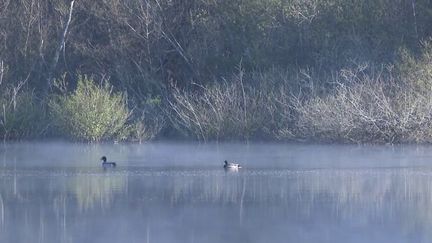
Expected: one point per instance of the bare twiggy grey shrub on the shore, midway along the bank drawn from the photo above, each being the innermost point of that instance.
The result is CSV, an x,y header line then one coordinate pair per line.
x,y
222,111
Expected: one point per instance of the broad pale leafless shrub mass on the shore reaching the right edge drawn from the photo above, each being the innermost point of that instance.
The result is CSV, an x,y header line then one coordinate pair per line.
x,y
366,108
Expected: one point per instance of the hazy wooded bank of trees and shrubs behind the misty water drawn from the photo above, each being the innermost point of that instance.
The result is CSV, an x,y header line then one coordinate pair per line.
x,y
213,69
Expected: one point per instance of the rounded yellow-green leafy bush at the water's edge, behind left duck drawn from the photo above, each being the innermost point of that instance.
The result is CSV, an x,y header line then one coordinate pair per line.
x,y
92,112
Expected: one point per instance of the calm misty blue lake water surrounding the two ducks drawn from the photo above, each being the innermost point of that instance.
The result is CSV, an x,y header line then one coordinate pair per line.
x,y
172,192
